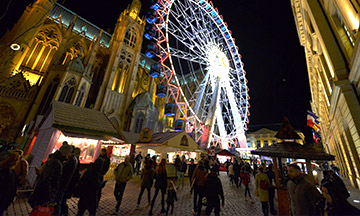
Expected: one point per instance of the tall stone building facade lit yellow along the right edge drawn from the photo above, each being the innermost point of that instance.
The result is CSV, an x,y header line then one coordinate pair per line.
x,y
329,32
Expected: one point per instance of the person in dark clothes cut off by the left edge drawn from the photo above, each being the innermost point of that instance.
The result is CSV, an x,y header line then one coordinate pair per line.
x,y
8,179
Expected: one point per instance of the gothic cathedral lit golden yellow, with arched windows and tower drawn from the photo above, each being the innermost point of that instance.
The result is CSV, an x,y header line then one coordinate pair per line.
x,y
52,54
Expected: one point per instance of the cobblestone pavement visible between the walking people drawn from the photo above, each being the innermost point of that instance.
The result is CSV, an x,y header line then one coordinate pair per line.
x,y
235,203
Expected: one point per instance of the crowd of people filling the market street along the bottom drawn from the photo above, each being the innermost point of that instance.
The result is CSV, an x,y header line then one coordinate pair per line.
x,y
60,178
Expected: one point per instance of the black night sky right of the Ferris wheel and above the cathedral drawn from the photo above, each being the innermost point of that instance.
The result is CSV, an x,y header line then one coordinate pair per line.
x,y
266,35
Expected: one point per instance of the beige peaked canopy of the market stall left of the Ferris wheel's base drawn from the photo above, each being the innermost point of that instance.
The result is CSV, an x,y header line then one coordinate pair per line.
x,y
171,141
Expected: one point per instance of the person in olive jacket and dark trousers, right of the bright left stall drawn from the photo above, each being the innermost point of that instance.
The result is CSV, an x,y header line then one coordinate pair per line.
x,y
123,173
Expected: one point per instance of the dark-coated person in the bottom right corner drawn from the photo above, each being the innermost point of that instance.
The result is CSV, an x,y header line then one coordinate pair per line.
x,y
336,200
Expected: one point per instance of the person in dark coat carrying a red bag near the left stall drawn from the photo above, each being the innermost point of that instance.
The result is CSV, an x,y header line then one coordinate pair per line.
x,y
50,179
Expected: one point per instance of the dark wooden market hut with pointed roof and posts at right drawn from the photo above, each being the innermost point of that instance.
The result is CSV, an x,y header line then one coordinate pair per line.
x,y
289,148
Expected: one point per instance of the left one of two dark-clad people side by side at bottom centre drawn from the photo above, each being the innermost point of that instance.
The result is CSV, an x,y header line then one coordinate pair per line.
x,y
199,186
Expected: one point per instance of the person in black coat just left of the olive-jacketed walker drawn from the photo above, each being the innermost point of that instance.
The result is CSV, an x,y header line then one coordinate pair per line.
x,y
90,184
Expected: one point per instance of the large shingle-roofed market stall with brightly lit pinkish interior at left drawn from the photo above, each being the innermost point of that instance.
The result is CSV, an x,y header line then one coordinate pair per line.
x,y
84,128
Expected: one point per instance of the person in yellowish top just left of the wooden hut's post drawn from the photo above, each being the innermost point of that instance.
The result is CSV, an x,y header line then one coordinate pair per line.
x,y
262,183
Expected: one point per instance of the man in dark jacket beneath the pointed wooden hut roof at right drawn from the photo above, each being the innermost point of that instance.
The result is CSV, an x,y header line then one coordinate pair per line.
x,y
304,194
